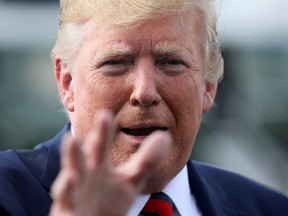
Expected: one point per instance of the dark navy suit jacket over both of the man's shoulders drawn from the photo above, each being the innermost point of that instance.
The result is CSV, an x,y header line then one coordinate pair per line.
x,y
26,177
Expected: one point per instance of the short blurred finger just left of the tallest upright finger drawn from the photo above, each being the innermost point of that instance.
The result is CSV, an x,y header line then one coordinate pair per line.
x,y
72,155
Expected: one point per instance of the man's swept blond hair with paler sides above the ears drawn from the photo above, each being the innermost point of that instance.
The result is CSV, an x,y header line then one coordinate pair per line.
x,y
129,13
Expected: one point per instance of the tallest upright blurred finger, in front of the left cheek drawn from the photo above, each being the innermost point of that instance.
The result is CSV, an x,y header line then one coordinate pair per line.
x,y
98,141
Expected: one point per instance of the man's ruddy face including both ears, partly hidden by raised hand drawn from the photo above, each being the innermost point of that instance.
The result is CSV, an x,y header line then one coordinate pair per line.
x,y
151,77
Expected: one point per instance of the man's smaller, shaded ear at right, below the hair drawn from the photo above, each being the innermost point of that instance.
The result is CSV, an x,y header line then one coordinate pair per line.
x,y
209,96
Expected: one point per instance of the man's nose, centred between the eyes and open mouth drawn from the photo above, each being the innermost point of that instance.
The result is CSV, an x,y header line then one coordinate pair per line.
x,y
145,92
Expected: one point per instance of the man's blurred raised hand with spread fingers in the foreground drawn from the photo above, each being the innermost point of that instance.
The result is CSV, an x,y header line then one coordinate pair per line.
x,y
89,184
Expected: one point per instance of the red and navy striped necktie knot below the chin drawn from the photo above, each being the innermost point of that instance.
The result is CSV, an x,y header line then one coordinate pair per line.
x,y
159,204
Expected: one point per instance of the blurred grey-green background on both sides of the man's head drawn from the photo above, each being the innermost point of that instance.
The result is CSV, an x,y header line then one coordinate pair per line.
x,y
246,132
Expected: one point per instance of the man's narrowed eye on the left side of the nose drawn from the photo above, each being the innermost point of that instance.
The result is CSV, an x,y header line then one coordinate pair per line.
x,y
114,67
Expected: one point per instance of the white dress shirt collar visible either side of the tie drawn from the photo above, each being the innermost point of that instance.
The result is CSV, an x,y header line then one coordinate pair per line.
x,y
178,190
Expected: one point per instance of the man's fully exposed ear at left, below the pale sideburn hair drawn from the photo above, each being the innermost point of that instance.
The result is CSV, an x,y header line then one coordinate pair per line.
x,y
65,85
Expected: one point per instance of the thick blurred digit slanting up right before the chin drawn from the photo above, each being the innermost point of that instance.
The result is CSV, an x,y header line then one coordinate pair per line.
x,y
151,153
